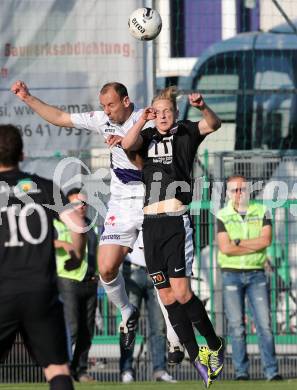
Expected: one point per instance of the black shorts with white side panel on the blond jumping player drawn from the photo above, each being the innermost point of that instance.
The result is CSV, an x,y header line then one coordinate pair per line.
x,y
168,247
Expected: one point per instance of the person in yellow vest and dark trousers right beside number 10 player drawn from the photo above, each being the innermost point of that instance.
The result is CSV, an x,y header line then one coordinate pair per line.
x,y
77,284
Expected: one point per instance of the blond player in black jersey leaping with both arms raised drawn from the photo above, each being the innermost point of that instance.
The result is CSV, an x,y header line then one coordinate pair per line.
x,y
168,152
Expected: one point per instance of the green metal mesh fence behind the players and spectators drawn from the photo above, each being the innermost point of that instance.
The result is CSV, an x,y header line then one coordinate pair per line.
x,y
266,169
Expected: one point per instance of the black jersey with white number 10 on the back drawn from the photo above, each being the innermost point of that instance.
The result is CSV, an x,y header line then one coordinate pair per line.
x,y
27,254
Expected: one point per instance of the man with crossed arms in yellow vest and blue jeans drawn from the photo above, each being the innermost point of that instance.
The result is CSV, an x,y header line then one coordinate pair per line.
x,y
244,233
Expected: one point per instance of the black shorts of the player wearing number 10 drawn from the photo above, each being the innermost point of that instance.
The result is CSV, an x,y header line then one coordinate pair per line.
x,y
39,318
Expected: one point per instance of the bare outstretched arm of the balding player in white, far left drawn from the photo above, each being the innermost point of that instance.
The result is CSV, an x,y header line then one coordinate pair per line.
x,y
49,113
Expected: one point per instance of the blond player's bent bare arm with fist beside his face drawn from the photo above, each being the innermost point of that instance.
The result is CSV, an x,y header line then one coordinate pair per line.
x,y
133,140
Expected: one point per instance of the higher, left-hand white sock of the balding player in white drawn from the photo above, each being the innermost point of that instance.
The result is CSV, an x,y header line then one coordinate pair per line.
x,y
116,293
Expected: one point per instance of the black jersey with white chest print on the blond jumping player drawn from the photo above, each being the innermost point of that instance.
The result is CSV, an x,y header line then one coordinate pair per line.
x,y
168,161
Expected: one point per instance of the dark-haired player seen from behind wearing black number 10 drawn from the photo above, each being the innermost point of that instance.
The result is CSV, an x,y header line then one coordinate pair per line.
x,y
29,301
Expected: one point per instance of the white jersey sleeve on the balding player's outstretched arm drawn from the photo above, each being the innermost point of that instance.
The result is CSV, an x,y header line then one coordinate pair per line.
x,y
93,120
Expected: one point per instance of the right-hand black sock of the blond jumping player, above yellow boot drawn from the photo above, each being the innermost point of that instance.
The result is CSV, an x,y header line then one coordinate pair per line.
x,y
197,314
